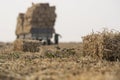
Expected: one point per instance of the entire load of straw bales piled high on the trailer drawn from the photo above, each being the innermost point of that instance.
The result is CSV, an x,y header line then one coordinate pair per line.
x,y
38,16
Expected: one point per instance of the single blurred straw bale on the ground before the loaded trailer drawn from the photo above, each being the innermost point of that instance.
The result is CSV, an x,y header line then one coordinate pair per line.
x,y
26,45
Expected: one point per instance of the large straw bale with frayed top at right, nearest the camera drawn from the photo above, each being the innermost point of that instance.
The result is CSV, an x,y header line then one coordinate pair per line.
x,y
102,45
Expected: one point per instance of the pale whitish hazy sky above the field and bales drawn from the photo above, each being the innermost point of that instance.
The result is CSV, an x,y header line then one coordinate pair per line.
x,y
75,18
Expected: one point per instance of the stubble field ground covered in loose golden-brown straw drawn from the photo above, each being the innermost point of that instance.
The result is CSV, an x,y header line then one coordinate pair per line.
x,y
56,62
